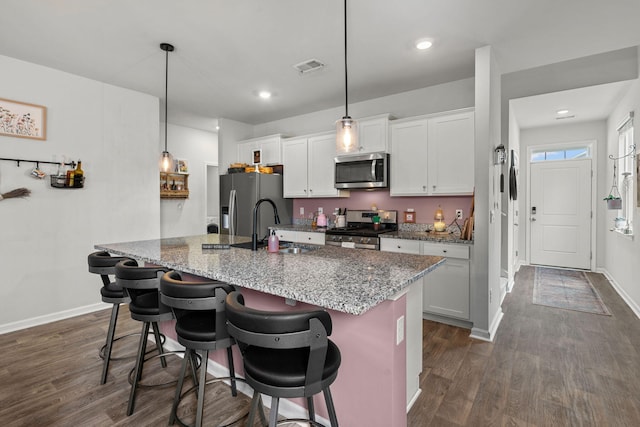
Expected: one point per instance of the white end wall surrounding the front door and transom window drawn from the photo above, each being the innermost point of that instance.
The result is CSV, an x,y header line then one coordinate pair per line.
x,y
550,135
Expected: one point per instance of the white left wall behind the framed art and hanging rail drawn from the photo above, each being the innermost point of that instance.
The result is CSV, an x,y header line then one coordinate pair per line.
x,y
46,237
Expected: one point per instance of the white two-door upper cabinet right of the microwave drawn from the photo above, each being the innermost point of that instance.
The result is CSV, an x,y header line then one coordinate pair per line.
x,y
433,155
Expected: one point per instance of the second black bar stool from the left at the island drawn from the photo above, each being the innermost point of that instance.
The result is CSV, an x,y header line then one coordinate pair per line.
x,y
142,285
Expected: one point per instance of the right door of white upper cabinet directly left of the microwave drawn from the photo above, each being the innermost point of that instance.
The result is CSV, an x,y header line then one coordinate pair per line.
x,y
321,166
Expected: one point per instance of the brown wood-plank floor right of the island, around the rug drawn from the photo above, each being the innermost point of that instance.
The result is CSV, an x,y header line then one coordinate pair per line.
x,y
546,367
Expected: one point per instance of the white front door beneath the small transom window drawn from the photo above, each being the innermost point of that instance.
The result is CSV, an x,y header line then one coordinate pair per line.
x,y
560,213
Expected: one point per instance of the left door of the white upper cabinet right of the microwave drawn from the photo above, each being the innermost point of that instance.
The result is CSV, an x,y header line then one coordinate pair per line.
x,y
409,158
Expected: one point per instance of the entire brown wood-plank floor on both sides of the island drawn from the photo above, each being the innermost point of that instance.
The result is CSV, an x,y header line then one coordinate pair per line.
x,y
547,367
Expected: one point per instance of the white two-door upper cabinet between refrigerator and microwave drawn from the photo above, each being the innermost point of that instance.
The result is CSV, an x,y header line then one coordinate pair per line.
x,y
309,167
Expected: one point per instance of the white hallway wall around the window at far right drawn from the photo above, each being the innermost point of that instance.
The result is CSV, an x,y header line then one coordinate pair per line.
x,y
621,253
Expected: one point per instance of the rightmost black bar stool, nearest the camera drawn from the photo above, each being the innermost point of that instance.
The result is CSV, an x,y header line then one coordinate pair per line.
x,y
285,354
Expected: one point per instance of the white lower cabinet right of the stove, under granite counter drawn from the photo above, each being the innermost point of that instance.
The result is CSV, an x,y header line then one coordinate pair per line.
x,y
445,289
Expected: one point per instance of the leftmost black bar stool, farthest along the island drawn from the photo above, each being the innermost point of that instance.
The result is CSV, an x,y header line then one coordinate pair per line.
x,y
104,264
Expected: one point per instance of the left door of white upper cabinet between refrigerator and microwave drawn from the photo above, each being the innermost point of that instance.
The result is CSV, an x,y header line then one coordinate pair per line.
x,y
294,158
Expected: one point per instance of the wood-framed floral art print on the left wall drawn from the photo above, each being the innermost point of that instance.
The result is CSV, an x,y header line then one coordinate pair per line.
x,y
23,120
